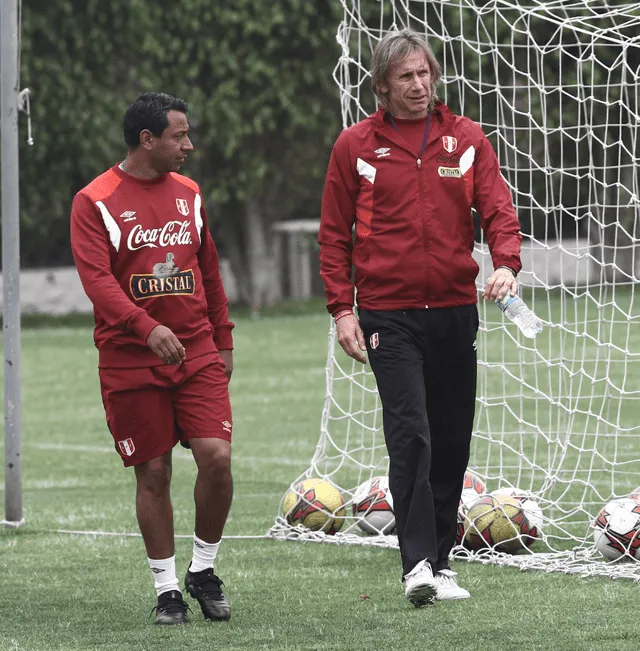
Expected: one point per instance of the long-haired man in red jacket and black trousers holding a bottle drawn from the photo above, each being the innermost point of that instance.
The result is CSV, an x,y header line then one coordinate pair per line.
x,y
407,177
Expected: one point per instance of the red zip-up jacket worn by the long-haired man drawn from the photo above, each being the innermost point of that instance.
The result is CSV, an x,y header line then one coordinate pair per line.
x,y
414,233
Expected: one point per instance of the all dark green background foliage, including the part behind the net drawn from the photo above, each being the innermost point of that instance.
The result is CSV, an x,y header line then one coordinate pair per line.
x,y
265,111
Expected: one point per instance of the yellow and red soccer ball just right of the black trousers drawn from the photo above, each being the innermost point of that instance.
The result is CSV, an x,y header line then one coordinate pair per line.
x,y
500,523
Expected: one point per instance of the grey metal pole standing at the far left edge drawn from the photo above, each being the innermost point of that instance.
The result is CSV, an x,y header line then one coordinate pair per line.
x,y
10,260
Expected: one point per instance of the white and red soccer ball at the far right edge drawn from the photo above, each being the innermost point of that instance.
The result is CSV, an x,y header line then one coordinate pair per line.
x,y
617,529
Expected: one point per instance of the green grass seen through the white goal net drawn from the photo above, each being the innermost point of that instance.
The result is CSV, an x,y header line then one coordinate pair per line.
x,y
560,416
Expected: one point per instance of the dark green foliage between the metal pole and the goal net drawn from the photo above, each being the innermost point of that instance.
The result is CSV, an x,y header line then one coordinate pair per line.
x,y
264,110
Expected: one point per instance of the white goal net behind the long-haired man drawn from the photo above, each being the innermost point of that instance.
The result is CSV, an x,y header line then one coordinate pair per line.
x,y
555,86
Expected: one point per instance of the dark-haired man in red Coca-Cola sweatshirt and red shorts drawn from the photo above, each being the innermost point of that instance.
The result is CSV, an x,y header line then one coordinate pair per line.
x,y
147,261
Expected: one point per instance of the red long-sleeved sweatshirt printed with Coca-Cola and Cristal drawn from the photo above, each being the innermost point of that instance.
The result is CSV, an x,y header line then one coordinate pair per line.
x,y
145,258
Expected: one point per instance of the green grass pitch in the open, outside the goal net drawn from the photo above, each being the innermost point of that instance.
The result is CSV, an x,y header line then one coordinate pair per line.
x,y
80,593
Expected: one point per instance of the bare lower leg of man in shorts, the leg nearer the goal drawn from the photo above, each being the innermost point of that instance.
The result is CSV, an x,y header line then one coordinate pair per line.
x,y
214,487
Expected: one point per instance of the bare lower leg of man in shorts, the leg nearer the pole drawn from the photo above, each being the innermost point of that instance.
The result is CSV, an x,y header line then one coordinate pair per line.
x,y
153,506
